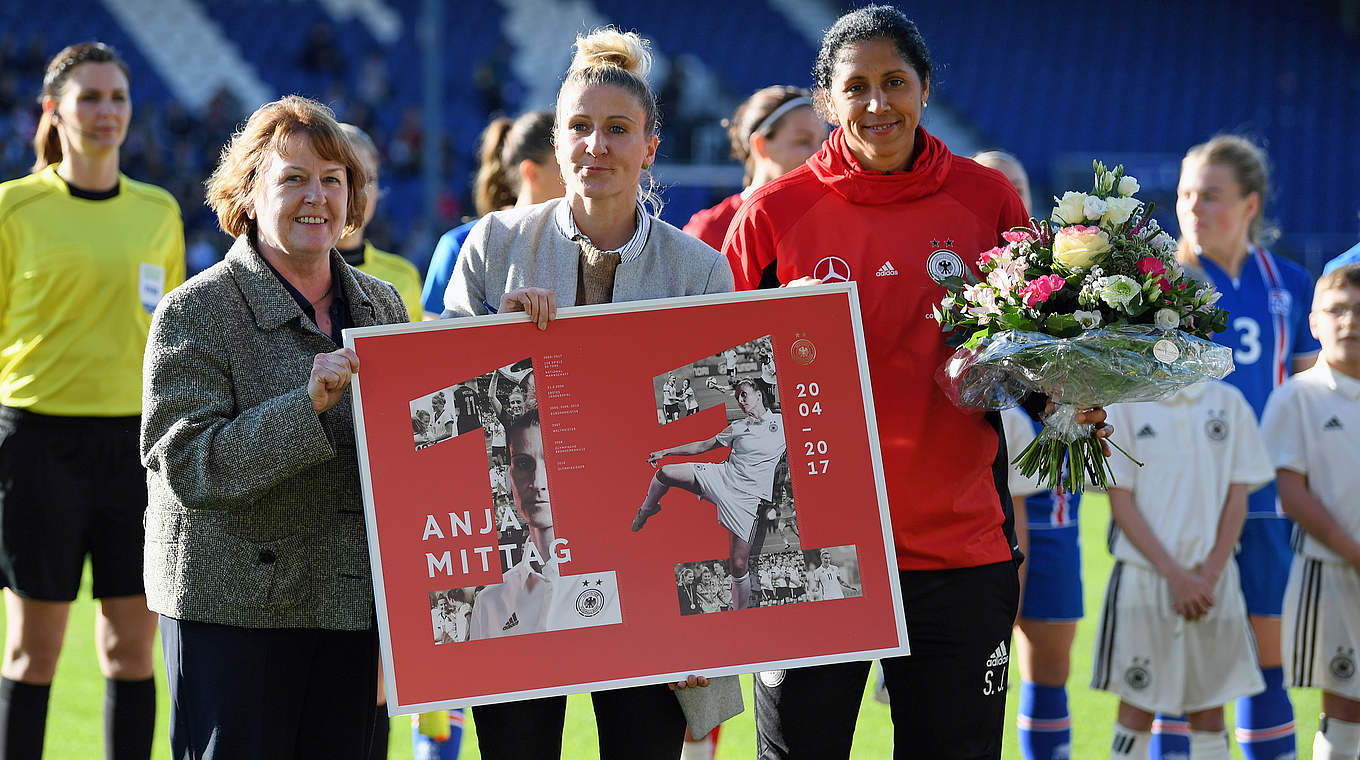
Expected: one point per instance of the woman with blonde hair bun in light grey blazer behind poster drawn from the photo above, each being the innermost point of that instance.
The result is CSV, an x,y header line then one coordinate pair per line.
x,y
600,244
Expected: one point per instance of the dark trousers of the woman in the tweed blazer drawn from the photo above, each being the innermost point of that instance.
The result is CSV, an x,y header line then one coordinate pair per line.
x,y
270,693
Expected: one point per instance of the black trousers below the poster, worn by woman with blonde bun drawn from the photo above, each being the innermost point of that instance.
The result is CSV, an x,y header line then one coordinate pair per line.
x,y
640,723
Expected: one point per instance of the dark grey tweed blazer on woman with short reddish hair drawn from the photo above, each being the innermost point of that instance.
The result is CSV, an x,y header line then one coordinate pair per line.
x,y
255,516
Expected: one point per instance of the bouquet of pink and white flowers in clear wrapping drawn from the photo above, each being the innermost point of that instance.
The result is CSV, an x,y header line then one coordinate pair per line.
x,y
1089,308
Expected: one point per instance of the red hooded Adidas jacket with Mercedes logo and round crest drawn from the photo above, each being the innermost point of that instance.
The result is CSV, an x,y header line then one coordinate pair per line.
x,y
896,235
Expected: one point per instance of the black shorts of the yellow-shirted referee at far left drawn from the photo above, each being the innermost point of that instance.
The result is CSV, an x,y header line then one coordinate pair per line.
x,y
70,487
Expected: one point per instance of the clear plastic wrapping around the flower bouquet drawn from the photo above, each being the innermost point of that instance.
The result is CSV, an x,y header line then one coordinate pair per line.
x,y
1097,368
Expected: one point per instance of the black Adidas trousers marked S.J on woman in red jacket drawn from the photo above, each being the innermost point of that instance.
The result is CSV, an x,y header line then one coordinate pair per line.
x,y
949,695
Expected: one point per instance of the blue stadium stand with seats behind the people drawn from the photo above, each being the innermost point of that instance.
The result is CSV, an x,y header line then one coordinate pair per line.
x,y
1134,85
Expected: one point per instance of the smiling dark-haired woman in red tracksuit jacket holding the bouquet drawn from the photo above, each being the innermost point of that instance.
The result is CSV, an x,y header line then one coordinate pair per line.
x,y
886,205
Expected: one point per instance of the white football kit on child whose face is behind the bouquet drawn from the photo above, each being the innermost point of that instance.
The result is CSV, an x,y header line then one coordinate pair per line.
x,y
1195,447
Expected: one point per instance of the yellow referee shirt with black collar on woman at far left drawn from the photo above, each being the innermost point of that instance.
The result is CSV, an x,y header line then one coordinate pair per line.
x,y
80,281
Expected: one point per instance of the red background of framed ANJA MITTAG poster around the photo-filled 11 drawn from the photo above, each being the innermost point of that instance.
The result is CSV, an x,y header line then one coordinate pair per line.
x,y
595,390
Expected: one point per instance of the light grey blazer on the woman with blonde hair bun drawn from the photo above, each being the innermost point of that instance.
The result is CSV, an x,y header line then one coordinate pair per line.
x,y
523,248
